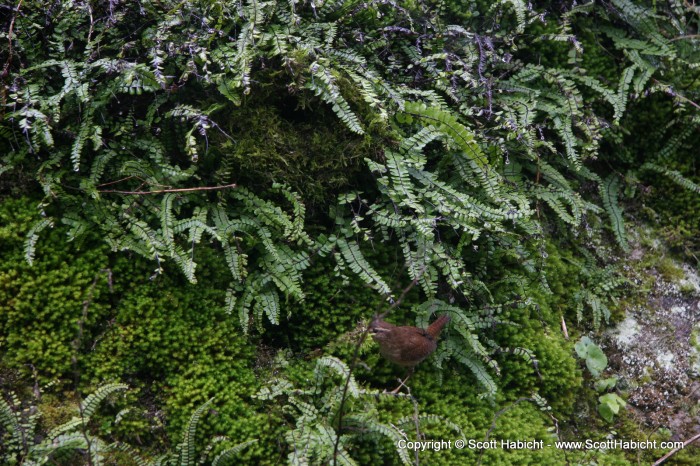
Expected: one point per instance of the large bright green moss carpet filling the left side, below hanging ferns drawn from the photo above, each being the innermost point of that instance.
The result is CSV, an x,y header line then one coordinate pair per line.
x,y
170,340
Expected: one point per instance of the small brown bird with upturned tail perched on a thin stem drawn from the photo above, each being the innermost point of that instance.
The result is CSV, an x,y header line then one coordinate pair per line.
x,y
406,345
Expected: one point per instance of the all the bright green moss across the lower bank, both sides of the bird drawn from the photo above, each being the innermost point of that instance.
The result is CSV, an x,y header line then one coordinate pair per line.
x,y
176,347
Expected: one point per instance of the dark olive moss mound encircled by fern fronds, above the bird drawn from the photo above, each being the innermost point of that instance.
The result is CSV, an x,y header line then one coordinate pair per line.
x,y
290,140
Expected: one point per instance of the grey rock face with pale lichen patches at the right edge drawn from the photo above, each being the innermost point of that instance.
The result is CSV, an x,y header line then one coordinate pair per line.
x,y
655,351
